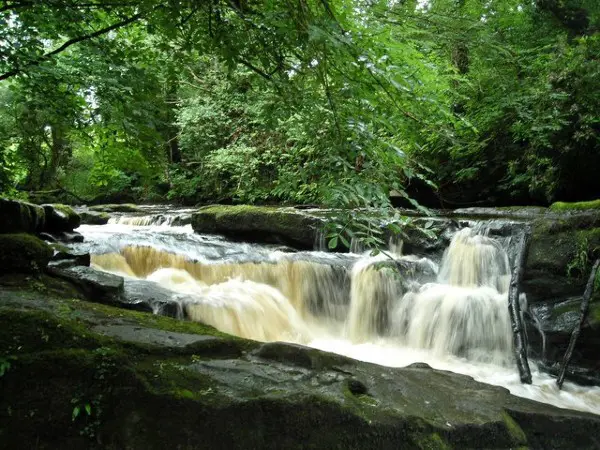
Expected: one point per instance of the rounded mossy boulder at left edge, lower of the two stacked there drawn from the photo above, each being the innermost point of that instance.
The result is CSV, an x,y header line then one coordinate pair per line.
x,y
23,253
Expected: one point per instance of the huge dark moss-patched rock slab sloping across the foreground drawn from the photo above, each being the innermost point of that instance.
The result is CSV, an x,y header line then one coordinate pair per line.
x,y
87,376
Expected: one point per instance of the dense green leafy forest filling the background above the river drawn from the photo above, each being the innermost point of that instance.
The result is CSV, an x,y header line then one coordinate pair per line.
x,y
334,102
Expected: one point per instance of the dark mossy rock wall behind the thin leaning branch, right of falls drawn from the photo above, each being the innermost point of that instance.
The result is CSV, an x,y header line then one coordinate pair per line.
x,y
560,257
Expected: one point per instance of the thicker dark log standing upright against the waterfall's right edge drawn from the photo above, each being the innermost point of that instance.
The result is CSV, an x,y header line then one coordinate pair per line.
x,y
514,309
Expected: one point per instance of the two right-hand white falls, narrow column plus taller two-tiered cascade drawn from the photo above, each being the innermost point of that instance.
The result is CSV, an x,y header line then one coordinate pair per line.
x,y
464,312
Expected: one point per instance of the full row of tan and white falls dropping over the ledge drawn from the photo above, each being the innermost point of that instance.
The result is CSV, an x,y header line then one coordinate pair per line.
x,y
462,312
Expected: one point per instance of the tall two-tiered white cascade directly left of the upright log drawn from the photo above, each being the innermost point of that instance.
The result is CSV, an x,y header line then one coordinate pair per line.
x,y
465,312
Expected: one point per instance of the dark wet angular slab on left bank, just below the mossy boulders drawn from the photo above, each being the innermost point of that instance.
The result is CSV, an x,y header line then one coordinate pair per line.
x,y
96,285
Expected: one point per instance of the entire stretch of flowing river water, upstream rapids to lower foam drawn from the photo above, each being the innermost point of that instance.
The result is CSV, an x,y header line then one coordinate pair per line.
x,y
392,309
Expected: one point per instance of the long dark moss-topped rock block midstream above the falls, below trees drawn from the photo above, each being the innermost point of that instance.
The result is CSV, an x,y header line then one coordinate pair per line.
x,y
259,224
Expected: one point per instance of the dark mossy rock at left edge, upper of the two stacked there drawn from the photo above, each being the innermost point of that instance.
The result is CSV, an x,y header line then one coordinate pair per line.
x,y
21,217
